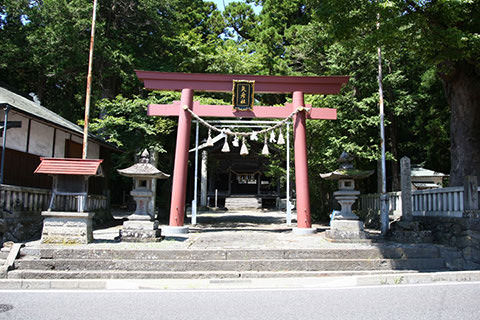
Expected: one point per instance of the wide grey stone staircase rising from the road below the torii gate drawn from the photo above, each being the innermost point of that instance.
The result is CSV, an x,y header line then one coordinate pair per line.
x,y
89,263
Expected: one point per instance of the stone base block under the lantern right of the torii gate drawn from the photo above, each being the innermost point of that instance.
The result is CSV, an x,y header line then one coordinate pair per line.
x,y
346,231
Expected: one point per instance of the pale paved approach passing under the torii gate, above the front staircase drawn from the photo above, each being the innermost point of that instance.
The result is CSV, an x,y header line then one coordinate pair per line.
x,y
229,230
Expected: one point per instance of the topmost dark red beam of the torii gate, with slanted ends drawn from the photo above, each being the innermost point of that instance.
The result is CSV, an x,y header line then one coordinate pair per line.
x,y
175,81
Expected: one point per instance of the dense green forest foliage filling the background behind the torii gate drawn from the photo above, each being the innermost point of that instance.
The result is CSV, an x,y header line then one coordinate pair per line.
x,y
423,42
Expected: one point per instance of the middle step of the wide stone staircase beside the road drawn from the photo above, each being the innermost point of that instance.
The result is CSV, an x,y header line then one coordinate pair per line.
x,y
426,264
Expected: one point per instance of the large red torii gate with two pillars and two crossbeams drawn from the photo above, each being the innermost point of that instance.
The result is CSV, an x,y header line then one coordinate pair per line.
x,y
188,82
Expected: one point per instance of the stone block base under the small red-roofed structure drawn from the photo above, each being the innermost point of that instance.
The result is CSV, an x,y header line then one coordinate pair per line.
x,y
67,227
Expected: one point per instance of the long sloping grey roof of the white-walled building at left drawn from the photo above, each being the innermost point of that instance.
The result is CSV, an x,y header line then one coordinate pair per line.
x,y
26,106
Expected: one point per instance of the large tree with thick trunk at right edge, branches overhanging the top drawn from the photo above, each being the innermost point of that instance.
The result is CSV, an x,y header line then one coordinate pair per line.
x,y
443,33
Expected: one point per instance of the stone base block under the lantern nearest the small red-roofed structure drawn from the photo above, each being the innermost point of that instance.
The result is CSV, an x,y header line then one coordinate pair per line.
x,y
141,231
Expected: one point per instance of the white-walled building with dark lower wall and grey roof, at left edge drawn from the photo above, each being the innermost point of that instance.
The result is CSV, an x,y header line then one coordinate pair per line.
x,y
43,133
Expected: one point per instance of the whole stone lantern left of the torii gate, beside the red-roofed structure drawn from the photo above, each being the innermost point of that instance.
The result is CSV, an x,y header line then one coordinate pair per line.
x,y
141,225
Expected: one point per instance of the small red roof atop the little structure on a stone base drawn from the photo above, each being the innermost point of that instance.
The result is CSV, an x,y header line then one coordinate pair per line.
x,y
71,166
